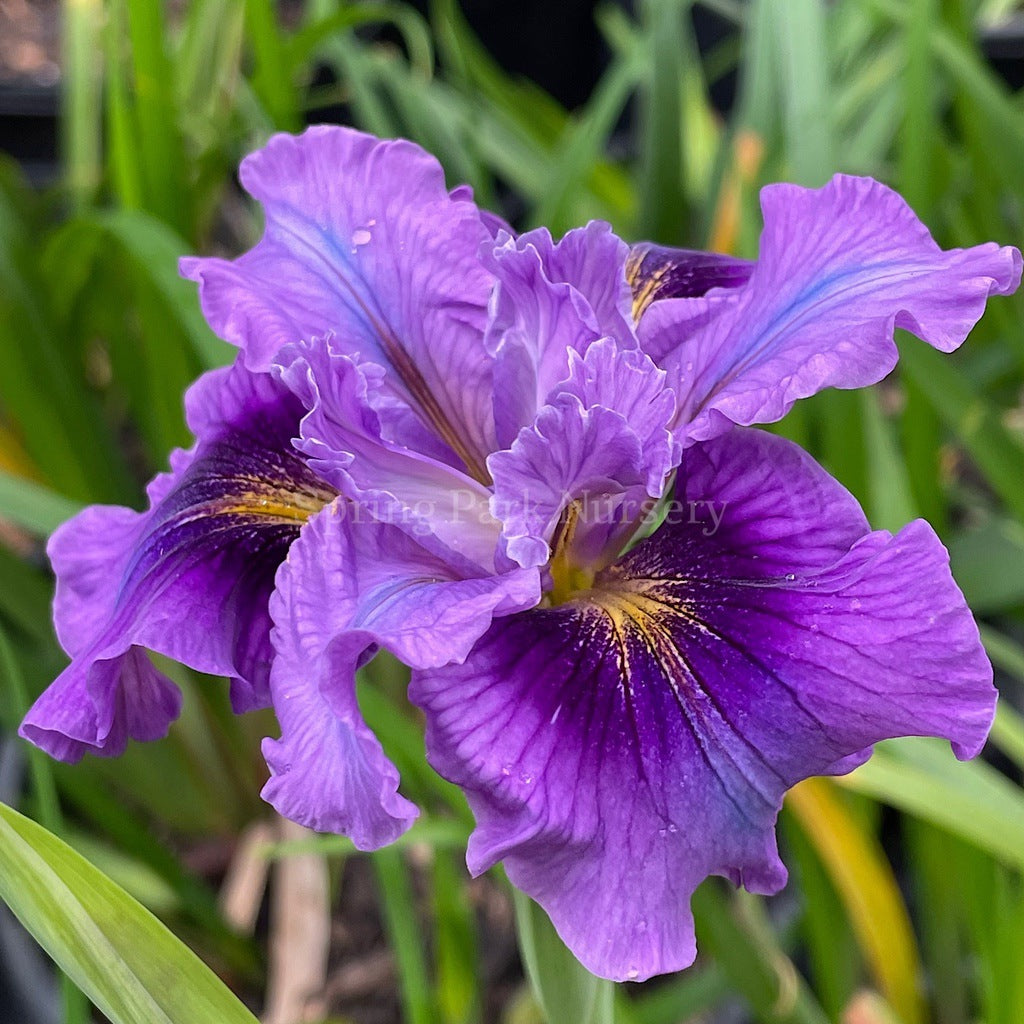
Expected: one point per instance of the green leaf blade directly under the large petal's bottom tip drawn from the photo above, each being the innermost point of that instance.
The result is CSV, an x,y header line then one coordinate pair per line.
x,y
565,990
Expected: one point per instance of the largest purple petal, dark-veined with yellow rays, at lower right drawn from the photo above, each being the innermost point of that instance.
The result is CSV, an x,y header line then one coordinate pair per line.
x,y
620,748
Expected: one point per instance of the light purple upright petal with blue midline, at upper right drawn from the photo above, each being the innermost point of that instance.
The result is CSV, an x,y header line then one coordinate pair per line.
x,y
839,269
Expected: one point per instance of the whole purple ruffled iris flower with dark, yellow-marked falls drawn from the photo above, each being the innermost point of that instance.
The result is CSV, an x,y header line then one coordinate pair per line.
x,y
440,439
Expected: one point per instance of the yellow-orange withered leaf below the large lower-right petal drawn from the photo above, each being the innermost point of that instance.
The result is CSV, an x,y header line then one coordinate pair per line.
x,y
866,884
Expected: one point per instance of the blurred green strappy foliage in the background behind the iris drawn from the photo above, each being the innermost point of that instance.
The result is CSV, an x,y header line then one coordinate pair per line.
x,y
101,338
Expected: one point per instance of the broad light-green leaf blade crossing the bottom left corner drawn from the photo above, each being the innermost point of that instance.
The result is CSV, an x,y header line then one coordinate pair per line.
x,y
132,967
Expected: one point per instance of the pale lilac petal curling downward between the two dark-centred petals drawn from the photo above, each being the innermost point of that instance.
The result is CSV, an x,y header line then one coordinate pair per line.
x,y
349,588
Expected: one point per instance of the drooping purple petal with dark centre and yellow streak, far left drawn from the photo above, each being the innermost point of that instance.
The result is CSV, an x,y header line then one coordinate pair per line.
x,y
190,578
